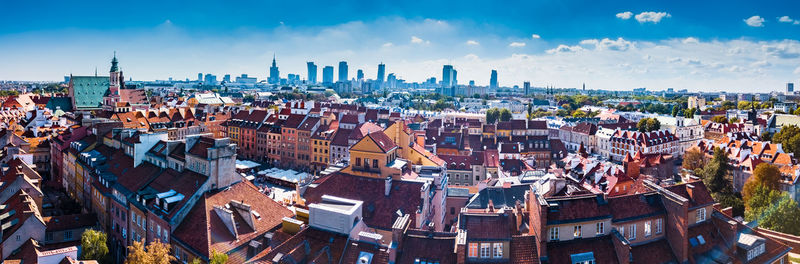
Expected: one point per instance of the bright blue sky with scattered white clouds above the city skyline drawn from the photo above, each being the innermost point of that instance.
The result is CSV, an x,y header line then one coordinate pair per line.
x,y
697,45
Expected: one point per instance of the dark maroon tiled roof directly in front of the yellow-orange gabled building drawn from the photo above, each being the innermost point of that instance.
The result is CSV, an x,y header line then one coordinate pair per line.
x,y
379,210
